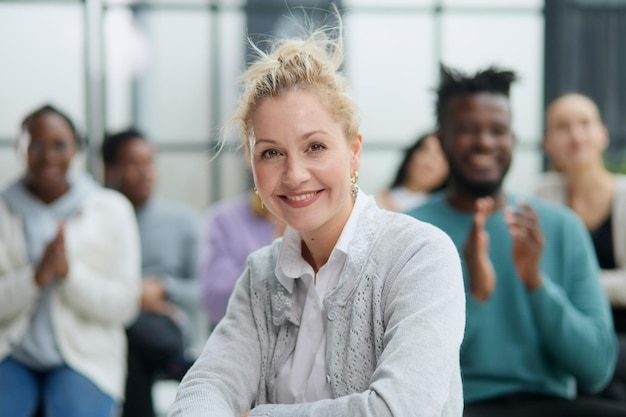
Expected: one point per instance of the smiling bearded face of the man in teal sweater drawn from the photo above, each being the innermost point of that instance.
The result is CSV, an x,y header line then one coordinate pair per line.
x,y
478,142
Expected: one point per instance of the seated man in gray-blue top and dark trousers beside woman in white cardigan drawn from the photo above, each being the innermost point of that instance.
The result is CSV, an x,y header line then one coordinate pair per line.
x,y
169,236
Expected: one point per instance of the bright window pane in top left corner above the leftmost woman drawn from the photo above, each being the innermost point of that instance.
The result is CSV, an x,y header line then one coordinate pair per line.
x,y
42,65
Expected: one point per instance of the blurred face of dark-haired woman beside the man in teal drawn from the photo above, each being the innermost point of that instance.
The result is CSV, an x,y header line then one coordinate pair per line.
x,y
428,167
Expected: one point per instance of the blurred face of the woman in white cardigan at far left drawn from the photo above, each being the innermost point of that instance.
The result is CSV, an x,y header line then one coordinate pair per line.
x,y
50,147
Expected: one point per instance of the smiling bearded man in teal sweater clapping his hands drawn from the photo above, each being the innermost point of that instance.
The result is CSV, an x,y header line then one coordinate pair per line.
x,y
538,323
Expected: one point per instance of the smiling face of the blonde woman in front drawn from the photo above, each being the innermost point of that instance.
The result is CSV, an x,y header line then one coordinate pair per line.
x,y
302,162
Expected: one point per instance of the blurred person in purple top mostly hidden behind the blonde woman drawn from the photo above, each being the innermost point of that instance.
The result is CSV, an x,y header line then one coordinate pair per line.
x,y
234,229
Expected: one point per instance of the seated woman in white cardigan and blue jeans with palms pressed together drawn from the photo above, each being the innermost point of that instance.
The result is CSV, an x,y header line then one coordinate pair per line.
x,y
69,281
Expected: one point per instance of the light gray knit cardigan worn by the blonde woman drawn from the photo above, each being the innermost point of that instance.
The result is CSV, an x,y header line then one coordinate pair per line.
x,y
395,325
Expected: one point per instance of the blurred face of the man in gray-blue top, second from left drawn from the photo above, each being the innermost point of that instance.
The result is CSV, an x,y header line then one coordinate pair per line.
x,y
133,172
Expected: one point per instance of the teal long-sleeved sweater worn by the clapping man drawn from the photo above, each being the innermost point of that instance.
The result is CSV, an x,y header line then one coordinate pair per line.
x,y
546,341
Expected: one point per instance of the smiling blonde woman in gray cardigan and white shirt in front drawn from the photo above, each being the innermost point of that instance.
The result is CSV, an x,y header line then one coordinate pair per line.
x,y
355,311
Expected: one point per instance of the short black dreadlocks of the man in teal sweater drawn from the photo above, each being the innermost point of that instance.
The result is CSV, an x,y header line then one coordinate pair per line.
x,y
455,83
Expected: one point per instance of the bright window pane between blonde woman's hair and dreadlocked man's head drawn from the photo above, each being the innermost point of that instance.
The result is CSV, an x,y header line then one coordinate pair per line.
x,y
391,68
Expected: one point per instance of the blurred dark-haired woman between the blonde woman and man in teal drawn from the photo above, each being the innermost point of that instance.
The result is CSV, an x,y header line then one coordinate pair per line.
x,y
423,170
